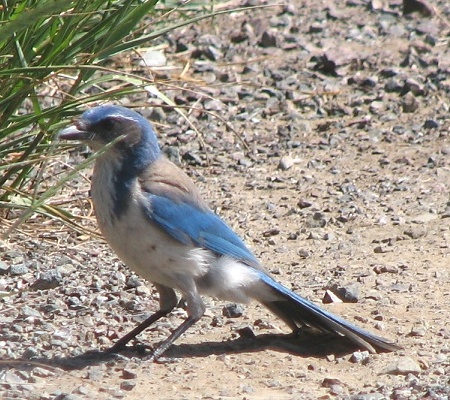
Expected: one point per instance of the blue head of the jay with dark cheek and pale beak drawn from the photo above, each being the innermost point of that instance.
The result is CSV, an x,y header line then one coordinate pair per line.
x,y
102,125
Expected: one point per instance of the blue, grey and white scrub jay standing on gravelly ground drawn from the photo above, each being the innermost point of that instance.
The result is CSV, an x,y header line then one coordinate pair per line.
x,y
153,216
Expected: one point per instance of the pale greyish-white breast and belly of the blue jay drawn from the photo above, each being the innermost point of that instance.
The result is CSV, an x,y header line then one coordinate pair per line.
x,y
139,243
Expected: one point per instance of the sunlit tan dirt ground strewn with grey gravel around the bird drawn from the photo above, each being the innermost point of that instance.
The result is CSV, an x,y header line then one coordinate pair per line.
x,y
324,142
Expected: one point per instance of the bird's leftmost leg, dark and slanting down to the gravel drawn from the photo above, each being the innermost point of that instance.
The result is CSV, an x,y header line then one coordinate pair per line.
x,y
167,302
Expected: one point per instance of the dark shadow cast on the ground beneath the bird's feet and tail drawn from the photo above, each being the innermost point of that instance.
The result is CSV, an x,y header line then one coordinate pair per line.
x,y
303,346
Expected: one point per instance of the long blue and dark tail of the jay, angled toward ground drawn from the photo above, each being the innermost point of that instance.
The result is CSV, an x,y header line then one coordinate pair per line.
x,y
298,312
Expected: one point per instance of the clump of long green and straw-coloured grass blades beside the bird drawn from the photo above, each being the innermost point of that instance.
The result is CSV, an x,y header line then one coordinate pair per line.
x,y
55,56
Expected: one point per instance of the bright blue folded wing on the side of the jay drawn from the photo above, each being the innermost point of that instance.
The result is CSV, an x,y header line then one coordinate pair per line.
x,y
191,225
